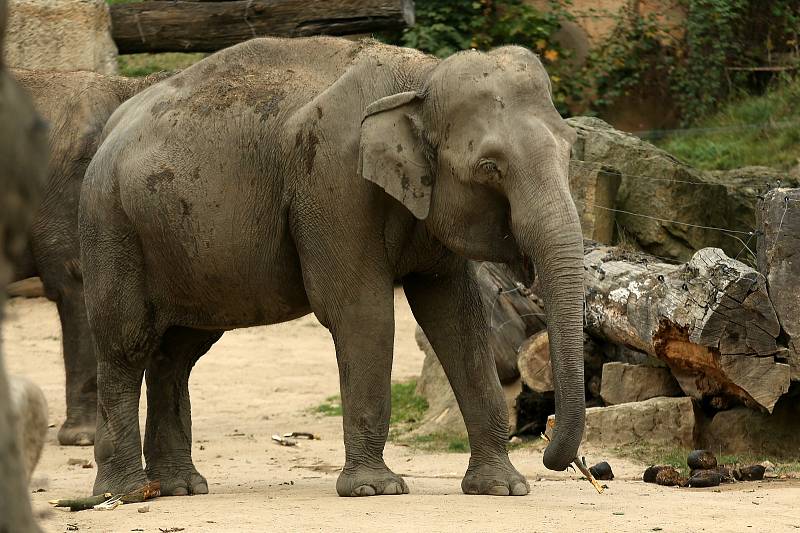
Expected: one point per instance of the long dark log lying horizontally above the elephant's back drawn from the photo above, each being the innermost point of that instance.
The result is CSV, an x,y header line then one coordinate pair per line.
x,y
187,26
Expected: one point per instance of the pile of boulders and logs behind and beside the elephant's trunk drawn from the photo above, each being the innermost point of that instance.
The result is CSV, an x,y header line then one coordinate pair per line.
x,y
727,378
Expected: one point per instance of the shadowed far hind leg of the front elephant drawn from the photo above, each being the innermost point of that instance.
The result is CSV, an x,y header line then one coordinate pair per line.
x,y
168,433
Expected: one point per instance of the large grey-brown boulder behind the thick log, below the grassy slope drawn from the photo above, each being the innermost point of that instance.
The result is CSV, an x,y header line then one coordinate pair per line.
x,y
657,185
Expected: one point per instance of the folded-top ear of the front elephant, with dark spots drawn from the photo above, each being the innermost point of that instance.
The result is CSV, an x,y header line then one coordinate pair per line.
x,y
392,155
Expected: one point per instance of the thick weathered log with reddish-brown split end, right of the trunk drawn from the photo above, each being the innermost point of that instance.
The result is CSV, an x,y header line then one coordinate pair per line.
x,y
710,320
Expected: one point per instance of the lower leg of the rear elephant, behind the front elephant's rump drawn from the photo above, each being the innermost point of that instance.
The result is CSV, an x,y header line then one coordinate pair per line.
x,y
80,365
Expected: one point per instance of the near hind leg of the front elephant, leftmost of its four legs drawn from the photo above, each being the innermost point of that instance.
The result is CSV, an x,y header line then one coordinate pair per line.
x,y
123,323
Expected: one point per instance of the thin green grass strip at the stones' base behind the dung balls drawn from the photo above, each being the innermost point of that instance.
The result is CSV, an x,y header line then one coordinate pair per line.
x,y
650,454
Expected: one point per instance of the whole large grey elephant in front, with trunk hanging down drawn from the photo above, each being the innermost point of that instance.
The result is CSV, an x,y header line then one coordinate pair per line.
x,y
247,190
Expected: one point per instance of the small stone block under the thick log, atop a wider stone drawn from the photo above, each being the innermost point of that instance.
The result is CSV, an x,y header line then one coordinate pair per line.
x,y
623,383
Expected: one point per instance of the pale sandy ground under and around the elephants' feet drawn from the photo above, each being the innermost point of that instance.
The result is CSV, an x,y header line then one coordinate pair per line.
x,y
260,381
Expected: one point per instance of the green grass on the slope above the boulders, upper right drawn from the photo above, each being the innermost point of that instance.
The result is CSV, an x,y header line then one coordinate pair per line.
x,y
741,140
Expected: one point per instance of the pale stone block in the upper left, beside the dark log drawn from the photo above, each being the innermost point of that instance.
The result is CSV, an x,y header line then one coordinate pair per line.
x,y
60,35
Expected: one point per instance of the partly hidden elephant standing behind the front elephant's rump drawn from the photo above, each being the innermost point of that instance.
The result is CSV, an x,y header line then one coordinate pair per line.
x,y
77,106
